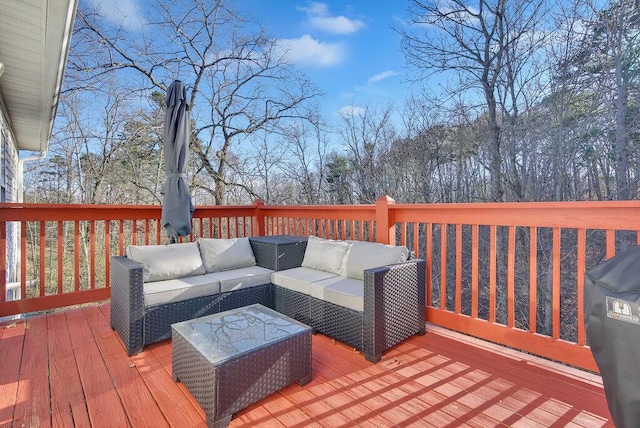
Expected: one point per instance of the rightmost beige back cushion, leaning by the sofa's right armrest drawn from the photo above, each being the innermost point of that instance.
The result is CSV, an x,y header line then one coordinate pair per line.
x,y
366,255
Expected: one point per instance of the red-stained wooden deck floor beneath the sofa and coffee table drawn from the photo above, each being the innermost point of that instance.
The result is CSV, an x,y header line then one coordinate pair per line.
x,y
69,369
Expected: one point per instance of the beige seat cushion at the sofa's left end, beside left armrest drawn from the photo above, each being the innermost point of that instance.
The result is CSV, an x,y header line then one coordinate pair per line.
x,y
177,290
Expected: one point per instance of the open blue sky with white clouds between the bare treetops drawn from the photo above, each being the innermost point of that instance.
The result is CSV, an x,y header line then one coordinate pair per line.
x,y
349,50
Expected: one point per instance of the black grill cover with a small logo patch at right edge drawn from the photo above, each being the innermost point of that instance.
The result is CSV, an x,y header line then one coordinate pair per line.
x,y
612,322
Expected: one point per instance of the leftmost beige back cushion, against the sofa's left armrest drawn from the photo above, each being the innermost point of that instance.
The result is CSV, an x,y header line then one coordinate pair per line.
x,y
162,262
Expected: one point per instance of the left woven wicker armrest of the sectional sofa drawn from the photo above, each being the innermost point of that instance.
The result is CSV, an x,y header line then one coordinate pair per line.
x,y
127,302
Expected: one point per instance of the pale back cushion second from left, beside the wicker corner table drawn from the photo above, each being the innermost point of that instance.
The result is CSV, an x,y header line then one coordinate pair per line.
x,y
225,254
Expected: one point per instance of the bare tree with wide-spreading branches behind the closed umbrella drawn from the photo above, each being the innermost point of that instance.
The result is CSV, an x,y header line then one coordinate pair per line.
x,y
238,76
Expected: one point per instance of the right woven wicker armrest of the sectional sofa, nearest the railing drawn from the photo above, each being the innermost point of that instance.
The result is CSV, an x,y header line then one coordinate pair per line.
x,y
394,306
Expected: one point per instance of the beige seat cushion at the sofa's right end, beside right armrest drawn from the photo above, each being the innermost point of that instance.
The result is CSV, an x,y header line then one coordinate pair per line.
x,y
341,291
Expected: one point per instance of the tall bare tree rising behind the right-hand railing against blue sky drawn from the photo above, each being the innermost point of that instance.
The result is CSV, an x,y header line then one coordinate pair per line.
x,y
488,47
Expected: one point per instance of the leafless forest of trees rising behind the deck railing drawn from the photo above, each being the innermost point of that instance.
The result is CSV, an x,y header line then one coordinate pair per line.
x,y
541,104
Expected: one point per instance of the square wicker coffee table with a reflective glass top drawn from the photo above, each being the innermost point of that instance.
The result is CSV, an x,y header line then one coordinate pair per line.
x,y
232,359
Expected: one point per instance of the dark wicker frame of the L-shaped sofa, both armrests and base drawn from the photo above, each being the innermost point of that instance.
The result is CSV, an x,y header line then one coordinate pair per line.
x,y
394,308
